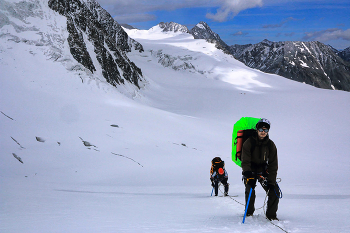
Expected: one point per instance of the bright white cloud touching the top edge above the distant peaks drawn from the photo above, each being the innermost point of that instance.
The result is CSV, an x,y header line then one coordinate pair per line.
x,y
230,8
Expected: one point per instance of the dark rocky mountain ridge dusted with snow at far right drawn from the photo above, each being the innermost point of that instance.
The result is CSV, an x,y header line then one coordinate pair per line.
x,y
313,63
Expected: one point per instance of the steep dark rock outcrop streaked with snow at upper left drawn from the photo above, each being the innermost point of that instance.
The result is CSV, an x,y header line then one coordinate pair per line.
x,y
88,22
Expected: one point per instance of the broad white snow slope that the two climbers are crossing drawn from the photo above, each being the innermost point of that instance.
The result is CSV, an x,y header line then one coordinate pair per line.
x,y
144,166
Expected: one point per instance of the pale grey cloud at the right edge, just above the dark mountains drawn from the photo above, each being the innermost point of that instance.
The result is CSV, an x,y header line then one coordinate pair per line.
x,y
329,34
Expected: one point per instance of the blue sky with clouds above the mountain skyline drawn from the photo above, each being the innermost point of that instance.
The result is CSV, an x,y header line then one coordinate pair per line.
x,y
245,21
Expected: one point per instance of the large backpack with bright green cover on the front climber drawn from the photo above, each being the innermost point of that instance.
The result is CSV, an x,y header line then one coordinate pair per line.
x,y
242,130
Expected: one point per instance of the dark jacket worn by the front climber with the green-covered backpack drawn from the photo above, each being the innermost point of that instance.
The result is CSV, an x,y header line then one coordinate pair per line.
x,y
263,155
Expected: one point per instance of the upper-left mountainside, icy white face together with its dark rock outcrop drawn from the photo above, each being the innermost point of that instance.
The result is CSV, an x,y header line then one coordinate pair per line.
x,y
95,40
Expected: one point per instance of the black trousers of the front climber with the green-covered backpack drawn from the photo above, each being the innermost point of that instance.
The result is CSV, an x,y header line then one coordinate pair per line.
x,y
272,200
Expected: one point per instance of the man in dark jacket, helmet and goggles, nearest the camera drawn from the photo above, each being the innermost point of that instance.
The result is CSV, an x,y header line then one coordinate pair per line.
x,y
259,162
